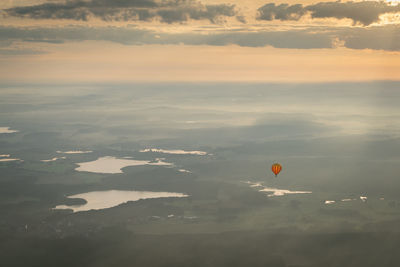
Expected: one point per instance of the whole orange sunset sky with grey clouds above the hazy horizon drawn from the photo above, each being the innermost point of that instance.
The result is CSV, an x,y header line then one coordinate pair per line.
x,y
48,41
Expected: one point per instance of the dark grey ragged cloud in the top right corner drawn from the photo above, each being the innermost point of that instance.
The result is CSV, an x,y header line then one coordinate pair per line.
x,y
365,12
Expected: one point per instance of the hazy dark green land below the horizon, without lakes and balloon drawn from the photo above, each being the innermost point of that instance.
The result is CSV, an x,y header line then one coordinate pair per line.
x,y
224,222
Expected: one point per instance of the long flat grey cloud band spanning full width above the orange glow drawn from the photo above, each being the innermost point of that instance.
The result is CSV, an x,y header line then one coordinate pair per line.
x,y
378,38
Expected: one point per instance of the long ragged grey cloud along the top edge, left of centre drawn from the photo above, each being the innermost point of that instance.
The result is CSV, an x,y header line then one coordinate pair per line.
x,y
168,11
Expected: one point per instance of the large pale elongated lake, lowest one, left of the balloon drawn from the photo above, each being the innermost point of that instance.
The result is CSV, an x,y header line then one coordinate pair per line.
x,y
106,199
